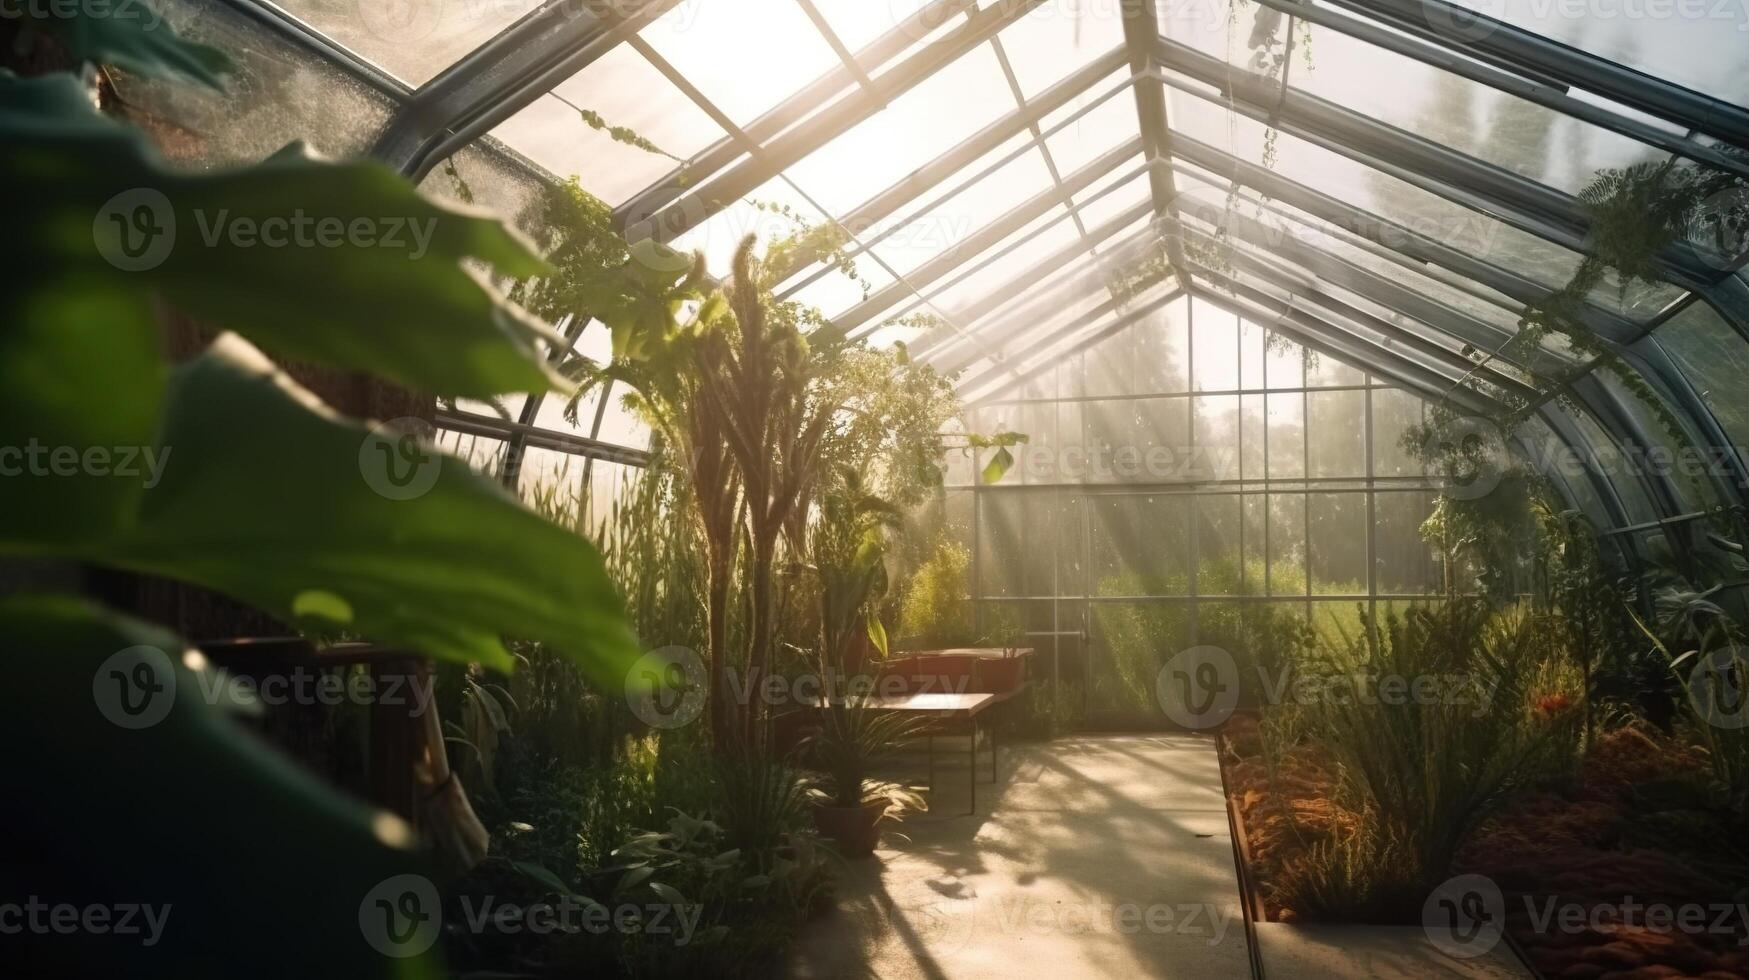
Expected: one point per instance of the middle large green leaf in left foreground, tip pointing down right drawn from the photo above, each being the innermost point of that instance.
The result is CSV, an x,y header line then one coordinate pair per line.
x,y
268,496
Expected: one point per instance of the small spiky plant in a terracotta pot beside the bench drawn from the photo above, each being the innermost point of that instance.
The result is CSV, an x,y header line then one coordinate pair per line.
x,y
849,806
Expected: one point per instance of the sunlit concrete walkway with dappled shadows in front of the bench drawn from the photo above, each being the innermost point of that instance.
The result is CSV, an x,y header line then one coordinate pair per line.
x,y
1092,857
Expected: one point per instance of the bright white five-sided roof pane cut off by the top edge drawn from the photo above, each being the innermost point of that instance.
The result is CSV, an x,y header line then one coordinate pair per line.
x,y
746,57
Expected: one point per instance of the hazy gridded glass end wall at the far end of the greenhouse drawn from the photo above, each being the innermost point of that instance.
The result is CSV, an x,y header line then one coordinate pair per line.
x,y
1192,479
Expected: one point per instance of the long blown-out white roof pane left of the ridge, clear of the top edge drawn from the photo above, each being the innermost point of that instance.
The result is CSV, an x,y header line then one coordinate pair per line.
x,y
910,132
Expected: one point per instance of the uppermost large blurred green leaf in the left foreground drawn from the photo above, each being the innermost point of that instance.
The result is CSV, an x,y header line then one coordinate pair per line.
x,y
333,263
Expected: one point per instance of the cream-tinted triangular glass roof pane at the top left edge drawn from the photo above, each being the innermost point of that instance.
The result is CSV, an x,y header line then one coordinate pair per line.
x,y
410,41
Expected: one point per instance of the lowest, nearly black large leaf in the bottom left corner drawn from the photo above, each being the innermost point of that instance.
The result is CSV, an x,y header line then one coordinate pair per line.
x,y
181,811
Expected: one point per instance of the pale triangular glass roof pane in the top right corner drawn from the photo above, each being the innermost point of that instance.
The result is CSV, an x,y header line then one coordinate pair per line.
x,y
1696,46
